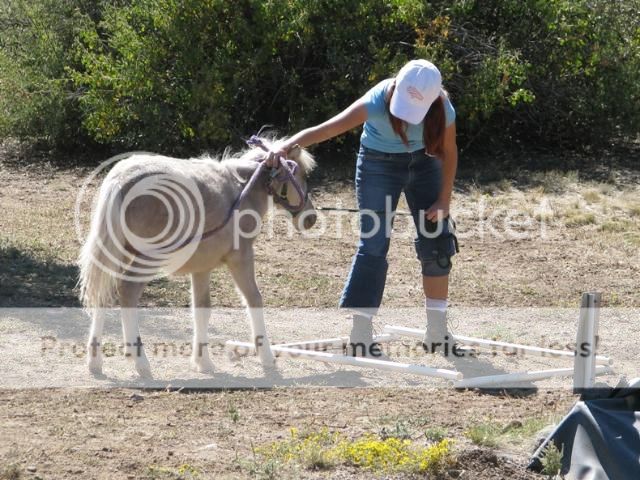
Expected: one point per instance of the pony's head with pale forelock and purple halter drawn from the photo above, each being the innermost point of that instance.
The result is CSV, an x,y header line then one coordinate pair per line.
x,y
290,190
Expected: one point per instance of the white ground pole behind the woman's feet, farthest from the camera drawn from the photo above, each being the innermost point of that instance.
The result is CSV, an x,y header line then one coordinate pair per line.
x,y
495,345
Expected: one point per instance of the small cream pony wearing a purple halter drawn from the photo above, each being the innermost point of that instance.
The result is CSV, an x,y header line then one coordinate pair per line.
x,y
156,215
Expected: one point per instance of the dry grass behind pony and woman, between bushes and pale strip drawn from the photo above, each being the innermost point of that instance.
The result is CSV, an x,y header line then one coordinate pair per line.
x,y
506,230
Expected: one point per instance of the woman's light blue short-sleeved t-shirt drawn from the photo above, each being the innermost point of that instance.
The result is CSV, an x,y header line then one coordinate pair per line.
x,y
378,133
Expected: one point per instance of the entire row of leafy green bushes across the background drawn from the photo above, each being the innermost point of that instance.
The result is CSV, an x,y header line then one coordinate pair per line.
x,y
185,75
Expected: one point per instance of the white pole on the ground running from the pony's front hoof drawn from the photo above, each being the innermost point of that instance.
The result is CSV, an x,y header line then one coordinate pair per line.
x,y
356,361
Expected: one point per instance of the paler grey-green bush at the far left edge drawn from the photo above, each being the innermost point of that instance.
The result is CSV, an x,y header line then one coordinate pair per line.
x,y
38,100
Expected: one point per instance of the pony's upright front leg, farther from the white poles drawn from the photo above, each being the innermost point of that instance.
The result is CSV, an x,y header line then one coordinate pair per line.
x,y
201,304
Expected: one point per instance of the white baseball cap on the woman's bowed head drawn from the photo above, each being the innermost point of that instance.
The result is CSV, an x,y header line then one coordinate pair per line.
x,y
418,84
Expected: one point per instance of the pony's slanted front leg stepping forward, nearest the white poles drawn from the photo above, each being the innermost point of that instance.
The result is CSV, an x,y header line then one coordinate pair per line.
x,y
241,266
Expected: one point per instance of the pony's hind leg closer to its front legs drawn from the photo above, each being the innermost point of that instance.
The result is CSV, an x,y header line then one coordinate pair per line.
x,y
130,292
